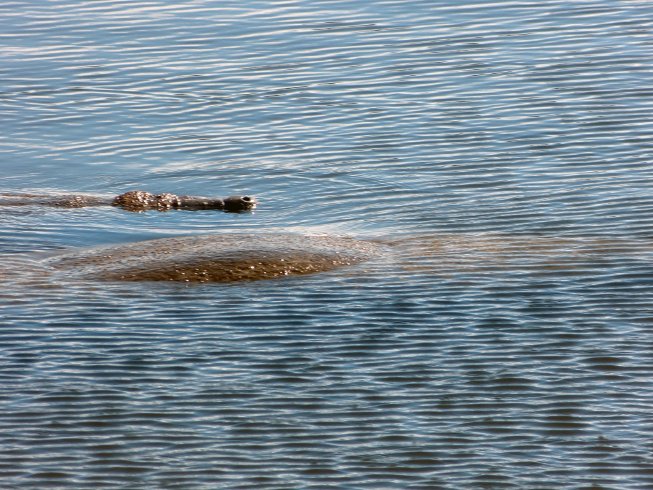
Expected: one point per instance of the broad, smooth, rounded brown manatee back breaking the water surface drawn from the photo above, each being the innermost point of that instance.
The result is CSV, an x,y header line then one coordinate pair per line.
x,y
215,258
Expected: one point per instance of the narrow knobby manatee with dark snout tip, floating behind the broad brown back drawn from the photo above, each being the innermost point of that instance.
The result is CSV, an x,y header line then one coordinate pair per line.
x,y
135,201
